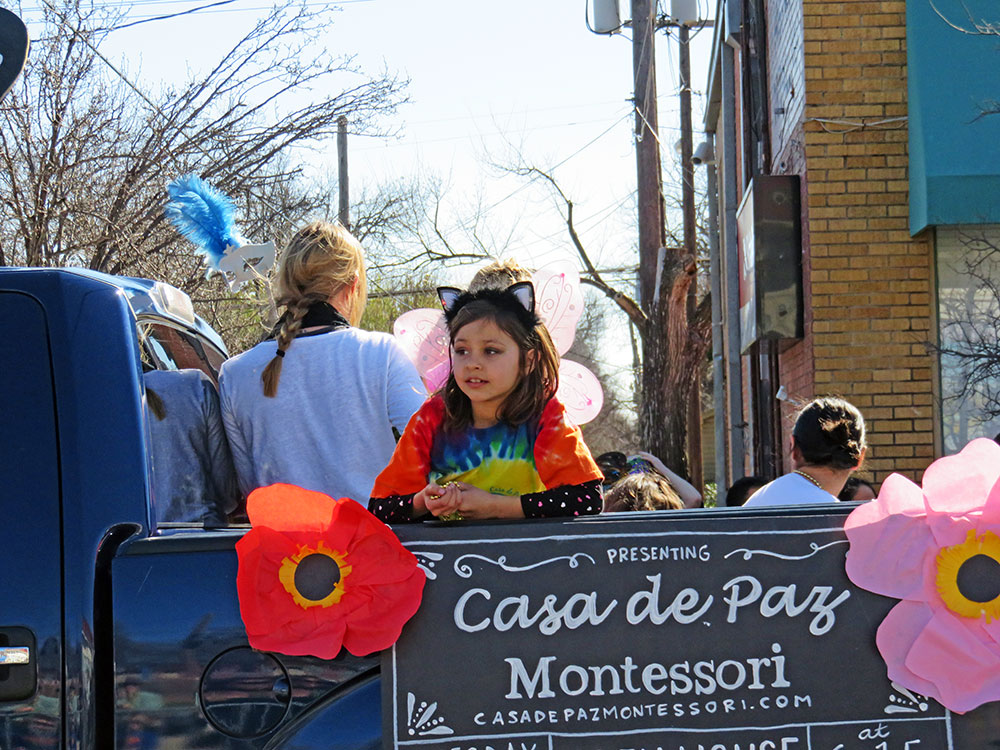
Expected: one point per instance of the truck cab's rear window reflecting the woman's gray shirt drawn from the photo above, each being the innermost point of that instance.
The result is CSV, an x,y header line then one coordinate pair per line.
x,y
191,469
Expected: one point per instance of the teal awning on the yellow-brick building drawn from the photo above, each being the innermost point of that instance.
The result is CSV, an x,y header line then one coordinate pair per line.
x,y
952,77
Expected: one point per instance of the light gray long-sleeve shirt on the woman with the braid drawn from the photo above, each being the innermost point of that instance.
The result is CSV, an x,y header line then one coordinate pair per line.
x,y
329,428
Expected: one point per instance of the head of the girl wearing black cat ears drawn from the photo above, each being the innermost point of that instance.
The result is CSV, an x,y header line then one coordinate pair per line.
x,y
503,359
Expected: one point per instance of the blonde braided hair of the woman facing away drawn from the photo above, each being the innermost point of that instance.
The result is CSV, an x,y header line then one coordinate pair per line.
x,y
321,260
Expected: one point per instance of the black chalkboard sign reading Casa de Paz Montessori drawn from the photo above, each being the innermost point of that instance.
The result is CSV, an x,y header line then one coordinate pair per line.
x,y
693,630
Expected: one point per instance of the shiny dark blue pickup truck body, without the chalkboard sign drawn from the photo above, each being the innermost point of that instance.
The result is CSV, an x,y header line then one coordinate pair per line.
x,y
119,626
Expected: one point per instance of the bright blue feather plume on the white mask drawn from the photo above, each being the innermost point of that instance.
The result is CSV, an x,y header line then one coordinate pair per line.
x,y
203,215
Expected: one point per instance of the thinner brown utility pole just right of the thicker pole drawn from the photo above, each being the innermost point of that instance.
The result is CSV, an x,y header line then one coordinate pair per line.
x,y
690,246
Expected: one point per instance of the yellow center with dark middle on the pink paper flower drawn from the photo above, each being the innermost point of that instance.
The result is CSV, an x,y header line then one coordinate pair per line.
x,y
968,576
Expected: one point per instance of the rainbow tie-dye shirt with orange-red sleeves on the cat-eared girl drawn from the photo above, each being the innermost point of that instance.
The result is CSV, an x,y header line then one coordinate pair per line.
x,y
502,459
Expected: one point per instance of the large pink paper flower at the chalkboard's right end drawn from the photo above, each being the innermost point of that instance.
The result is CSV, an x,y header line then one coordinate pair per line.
x,y
937,548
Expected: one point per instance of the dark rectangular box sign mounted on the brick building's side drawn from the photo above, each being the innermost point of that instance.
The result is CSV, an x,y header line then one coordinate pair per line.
x,y
769,239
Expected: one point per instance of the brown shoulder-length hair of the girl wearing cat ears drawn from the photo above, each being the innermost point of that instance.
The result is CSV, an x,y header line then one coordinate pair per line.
x,y
539,373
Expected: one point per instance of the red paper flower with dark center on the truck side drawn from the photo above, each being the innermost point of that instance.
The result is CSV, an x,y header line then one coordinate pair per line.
x,y
316,573
